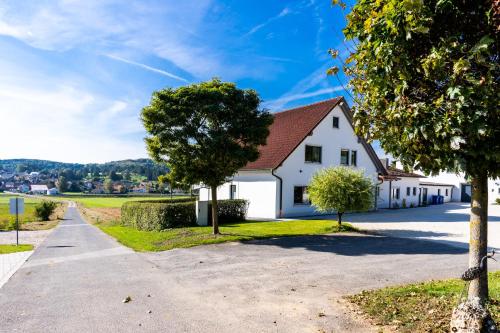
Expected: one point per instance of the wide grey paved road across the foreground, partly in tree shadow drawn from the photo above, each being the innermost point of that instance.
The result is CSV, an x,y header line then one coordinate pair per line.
x,y
76,280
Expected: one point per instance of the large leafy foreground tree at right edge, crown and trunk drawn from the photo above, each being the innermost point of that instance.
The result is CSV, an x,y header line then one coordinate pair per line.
x,y
425,79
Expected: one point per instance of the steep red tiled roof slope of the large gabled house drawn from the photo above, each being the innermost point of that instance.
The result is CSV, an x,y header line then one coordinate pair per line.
x,y
289,129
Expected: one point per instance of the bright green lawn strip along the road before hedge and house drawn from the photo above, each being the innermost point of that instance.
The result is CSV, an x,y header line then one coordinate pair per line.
x,y
193,236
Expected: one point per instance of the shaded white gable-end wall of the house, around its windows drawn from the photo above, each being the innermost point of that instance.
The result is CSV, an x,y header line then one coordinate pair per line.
x,y
296,172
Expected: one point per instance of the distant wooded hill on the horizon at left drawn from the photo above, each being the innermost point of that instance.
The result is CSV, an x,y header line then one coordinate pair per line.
x,y
143,167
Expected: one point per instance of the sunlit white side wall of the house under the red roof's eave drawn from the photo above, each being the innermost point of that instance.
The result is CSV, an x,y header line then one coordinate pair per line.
x,y
258,187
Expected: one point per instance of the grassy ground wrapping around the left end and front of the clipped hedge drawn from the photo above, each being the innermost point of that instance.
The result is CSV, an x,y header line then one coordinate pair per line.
x,y
105,213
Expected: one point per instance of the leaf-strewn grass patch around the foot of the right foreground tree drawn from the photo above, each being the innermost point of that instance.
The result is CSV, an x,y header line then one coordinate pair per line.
x,y
422,307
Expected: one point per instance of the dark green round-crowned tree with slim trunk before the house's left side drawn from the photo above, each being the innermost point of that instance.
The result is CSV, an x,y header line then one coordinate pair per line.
x,y
205,132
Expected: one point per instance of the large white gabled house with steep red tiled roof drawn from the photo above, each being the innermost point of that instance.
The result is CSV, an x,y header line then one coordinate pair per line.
x,y
301,141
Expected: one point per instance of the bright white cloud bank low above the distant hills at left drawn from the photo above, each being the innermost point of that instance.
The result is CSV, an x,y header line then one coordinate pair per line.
x,y
67,123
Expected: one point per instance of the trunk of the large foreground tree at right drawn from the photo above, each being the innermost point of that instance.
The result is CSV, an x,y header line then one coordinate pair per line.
x,y
478,245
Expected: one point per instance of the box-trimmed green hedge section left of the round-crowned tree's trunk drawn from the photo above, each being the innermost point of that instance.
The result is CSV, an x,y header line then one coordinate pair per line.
x,y
158,215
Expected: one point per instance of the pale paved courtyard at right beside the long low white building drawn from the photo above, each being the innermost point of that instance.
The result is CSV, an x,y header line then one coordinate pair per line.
x,y
447,223
